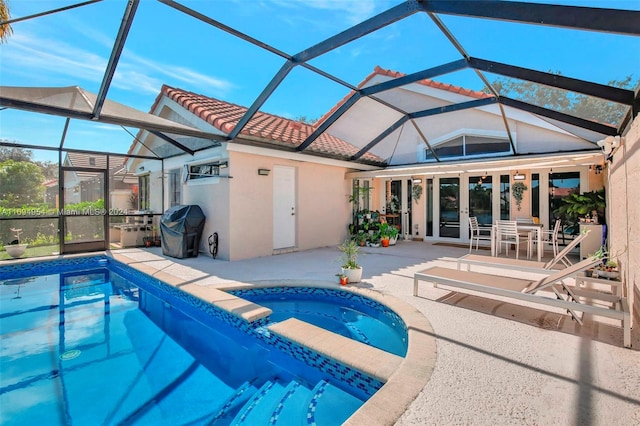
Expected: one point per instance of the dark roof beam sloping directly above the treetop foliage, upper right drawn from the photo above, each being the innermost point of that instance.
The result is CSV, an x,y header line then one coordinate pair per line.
x,y
602,91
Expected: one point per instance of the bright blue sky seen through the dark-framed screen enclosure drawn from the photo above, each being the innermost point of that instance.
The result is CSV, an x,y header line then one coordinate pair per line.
x,y
167,47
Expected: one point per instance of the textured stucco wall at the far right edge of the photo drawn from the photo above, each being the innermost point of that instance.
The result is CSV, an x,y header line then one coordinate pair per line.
x,y
624,213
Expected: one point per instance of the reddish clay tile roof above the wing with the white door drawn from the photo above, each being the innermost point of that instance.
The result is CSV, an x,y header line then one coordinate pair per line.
x,y
266,127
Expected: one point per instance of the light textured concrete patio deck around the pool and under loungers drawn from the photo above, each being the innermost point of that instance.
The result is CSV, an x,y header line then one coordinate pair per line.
x,y
496,362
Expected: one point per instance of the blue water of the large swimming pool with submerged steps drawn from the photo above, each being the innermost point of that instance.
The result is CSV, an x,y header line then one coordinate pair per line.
x,y
82,344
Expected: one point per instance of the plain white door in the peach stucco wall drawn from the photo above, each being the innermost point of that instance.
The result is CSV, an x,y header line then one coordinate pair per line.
x,y
284,207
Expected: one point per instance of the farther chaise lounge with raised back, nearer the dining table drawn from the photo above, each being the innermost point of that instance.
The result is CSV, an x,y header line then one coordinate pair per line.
x,y
522,265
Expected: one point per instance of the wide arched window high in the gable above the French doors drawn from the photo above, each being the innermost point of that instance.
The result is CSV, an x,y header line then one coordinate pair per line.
x,y
468,145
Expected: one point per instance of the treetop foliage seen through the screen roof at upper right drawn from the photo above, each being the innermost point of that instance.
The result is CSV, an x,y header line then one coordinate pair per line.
x,y
576,104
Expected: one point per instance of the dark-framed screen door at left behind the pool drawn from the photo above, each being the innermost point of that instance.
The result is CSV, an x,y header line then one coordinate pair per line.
x,y
83,212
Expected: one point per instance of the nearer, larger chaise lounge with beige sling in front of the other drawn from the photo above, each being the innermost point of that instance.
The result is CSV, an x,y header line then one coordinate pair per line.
x,y
566,297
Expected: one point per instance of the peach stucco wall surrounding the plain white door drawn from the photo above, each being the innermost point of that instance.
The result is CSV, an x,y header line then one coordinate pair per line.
x,y
322,208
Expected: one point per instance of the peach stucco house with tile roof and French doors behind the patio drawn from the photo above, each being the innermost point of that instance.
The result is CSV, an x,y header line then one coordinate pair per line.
x,y
263,195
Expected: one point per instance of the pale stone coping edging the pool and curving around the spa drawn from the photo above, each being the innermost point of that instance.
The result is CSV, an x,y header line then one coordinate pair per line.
x,y
405,379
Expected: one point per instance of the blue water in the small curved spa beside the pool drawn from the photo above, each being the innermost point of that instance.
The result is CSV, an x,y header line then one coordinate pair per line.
x,y
341,312
